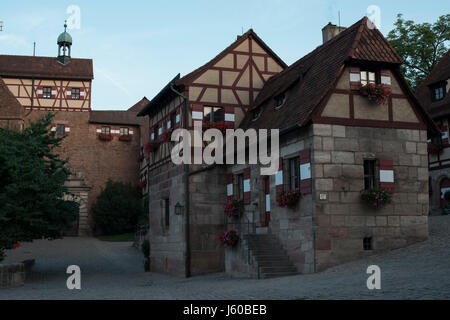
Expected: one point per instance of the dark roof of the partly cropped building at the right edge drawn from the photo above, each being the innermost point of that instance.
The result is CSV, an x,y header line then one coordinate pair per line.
x,y
440,72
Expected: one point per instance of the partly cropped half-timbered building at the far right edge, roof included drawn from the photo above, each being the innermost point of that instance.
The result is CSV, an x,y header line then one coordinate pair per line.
x,y
434,95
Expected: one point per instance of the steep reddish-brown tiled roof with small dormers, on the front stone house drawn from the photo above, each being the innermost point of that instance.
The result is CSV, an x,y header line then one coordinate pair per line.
x,y
310,78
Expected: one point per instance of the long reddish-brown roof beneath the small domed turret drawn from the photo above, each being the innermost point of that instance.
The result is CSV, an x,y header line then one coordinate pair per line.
x,y
45,67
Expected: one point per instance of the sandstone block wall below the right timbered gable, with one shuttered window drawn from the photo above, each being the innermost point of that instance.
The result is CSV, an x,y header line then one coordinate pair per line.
x,y
342,220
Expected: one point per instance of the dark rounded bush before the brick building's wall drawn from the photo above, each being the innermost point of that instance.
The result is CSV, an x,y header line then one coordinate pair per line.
x,y
117,209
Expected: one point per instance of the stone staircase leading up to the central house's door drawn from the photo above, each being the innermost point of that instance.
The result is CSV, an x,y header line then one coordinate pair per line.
x,y
271,259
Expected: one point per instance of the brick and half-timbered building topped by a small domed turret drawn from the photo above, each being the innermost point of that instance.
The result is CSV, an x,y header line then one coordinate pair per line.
x,y
31,86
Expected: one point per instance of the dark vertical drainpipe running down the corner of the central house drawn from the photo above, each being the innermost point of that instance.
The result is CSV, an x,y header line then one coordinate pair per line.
x,y
186,187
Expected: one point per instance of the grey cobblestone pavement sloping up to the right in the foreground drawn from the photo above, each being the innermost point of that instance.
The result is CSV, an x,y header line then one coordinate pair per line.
x,y
114,271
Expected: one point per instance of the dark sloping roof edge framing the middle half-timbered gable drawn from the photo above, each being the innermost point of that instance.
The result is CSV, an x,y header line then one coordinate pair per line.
x,y
250,33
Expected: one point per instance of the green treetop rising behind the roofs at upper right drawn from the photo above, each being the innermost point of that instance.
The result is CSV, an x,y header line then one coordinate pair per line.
x,y
421,45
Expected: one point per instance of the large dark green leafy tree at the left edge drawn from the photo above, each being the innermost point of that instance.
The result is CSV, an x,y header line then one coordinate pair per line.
x,y
32,192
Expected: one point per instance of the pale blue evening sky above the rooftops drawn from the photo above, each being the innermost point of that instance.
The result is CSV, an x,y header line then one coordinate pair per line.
x,y
139,46
